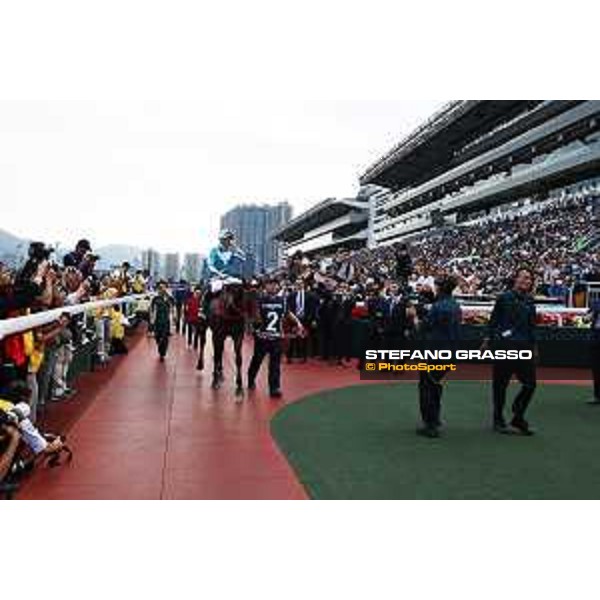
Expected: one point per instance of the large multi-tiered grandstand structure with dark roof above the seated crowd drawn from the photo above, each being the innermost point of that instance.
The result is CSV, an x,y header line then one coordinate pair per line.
x,y
472,158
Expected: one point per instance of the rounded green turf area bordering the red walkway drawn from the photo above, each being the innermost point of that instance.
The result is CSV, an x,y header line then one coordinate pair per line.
x,y
360,442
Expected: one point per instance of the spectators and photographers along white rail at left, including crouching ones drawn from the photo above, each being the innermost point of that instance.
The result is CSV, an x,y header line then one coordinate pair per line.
x,y
35,365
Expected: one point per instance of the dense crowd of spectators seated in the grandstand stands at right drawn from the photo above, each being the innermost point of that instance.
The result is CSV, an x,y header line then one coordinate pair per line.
x,y
558,239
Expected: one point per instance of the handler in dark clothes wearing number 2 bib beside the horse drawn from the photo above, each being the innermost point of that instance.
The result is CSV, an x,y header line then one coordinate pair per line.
x,y
272,309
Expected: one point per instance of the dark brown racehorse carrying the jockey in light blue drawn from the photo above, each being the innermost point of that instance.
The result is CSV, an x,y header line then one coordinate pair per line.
x,y
228,314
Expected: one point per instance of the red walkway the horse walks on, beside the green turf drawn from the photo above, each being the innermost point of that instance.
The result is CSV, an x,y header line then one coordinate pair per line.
x,y
150,430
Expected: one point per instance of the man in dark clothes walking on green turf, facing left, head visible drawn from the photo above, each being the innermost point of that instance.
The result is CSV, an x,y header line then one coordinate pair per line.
x,y
512,326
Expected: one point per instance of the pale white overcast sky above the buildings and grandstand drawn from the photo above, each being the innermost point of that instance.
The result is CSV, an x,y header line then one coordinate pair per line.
x,y
159,173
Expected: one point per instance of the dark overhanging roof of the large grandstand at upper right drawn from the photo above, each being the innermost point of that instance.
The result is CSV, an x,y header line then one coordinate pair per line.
x,y
431,148
